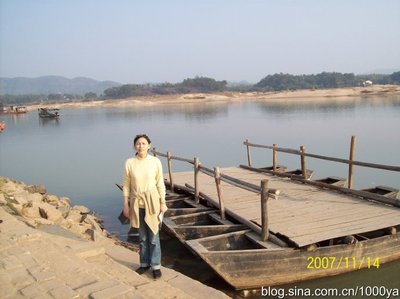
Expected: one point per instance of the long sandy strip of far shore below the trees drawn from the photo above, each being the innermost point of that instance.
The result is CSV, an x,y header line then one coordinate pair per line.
x,y
305,95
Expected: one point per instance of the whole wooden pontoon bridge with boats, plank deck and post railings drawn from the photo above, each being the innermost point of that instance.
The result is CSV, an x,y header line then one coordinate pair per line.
x,y
259,226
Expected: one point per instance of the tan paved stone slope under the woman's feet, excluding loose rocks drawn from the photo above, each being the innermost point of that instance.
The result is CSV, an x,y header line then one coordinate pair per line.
x,y
37,264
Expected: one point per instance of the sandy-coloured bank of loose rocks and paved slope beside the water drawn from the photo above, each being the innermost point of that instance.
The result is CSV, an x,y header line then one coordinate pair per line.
x,y
50,249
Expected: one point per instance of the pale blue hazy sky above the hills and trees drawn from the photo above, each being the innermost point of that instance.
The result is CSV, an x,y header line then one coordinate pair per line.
x,y
156,41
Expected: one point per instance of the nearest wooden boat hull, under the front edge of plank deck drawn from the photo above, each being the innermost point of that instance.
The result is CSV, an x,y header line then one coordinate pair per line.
x,y
245,262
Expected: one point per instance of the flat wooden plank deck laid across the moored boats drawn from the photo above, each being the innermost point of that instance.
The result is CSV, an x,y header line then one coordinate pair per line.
x,y
305,214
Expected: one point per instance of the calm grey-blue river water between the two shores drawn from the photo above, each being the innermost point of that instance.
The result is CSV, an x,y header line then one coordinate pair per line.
x,y
82,154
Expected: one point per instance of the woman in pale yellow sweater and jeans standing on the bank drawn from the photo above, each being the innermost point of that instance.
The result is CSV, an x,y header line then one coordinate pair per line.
x,y
144,201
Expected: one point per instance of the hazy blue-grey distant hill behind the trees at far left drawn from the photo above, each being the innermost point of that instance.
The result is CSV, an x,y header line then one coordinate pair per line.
x,y
53,84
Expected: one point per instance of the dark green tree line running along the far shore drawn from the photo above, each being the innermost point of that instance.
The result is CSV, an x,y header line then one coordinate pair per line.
x,y
275,82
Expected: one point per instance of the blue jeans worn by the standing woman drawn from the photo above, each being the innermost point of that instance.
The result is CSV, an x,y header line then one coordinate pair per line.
x,y
149,244
